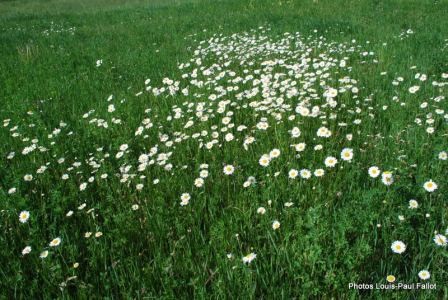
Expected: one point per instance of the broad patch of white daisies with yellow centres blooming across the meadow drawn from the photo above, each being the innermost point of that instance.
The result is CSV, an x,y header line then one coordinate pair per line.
x,y
247,110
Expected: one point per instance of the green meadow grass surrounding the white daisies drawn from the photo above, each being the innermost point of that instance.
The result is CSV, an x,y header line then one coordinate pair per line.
x,y
328,239
